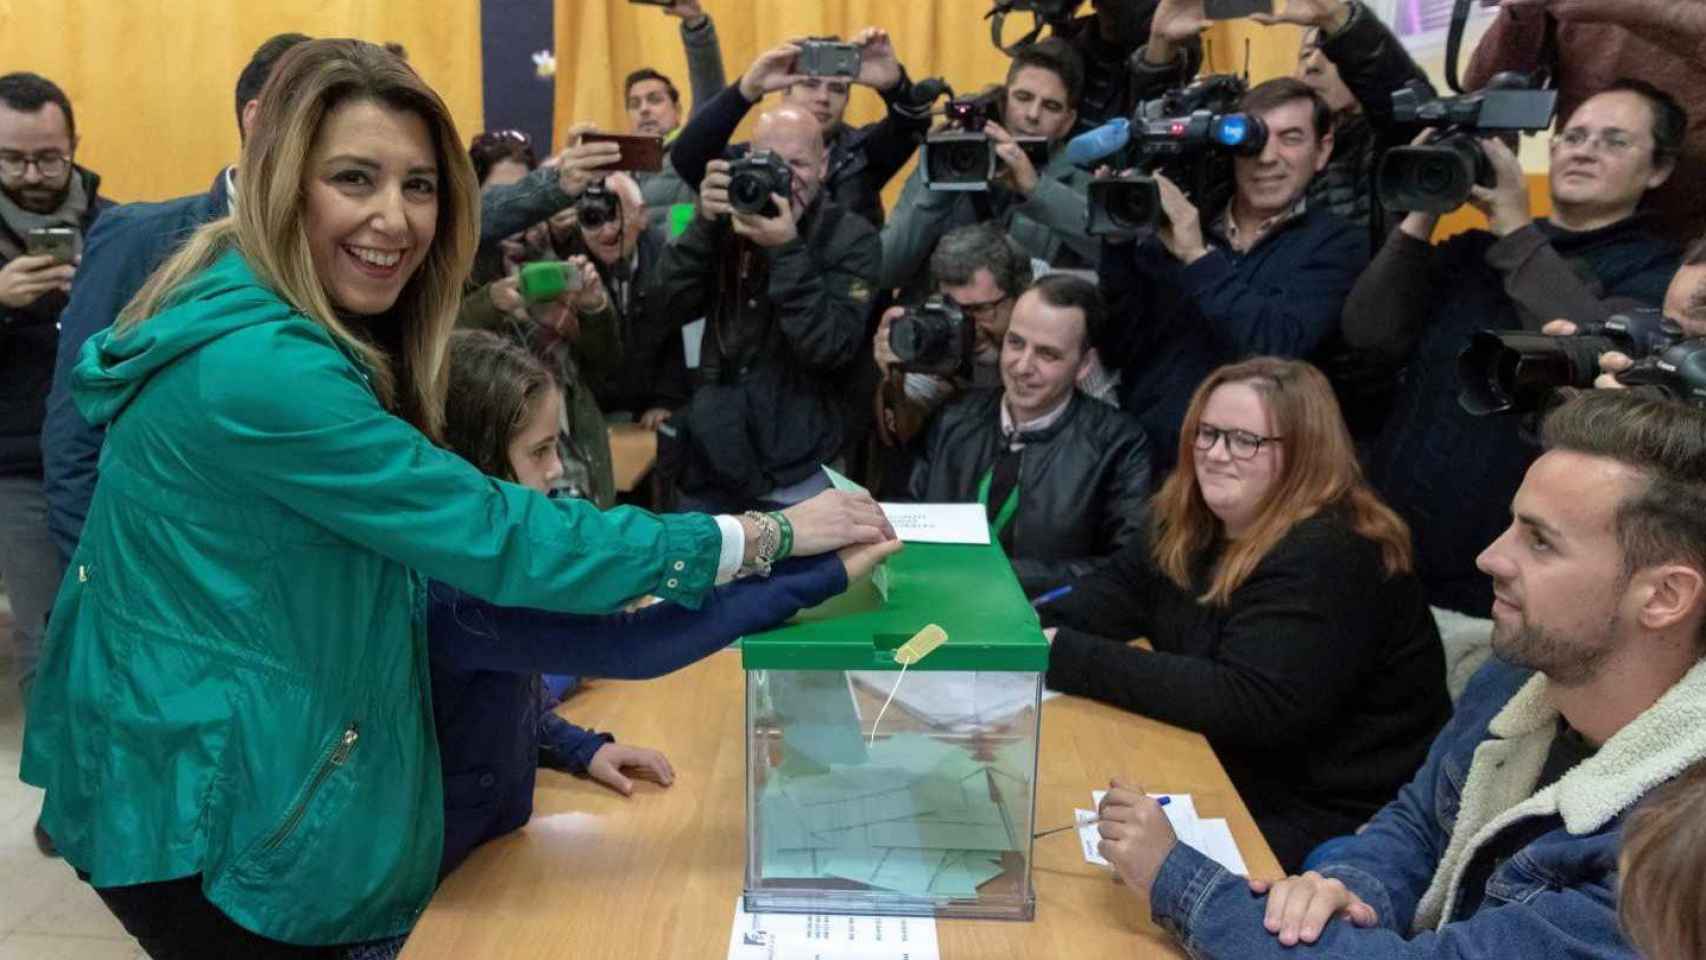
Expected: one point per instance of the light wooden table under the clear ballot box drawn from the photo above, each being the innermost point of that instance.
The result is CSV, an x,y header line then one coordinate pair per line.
x,y
658,876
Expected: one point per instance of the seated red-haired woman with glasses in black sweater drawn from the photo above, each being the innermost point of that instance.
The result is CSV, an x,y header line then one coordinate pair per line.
x,y
1280,601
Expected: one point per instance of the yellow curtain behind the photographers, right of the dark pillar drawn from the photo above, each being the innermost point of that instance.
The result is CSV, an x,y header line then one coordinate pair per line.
x,y
600,42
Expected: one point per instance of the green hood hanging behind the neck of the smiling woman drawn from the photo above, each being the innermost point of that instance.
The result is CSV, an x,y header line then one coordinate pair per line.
x,y
115,366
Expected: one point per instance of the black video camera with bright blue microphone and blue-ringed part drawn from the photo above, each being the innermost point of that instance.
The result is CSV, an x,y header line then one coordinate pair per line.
x,y
1190,136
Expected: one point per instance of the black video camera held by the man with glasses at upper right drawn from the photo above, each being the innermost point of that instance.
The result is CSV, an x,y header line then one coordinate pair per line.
x,y
1437,175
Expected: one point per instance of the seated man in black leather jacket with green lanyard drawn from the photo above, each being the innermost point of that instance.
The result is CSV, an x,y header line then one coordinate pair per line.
x,y
1064,478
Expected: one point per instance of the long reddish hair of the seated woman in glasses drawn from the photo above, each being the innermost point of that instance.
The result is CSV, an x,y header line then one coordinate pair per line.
x,y
1320,470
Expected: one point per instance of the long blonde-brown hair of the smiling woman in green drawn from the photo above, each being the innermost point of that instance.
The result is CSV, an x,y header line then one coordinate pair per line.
x,y
308,84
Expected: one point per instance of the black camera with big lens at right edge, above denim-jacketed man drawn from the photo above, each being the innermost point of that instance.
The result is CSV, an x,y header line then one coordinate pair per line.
x,y
1517,371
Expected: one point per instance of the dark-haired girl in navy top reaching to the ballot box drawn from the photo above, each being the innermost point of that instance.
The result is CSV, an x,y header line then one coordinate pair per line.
x,y
502,415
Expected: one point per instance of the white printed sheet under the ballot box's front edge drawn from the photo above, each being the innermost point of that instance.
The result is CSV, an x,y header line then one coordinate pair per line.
x,y
828,937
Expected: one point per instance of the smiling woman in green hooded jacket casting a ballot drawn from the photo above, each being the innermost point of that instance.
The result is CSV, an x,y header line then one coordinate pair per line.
x,y
233,717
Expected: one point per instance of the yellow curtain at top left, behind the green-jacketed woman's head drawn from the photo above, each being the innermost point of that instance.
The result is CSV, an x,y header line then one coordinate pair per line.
x,y
153,81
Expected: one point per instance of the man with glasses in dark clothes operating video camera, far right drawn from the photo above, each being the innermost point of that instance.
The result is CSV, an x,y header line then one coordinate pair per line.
x,y
1449,473
